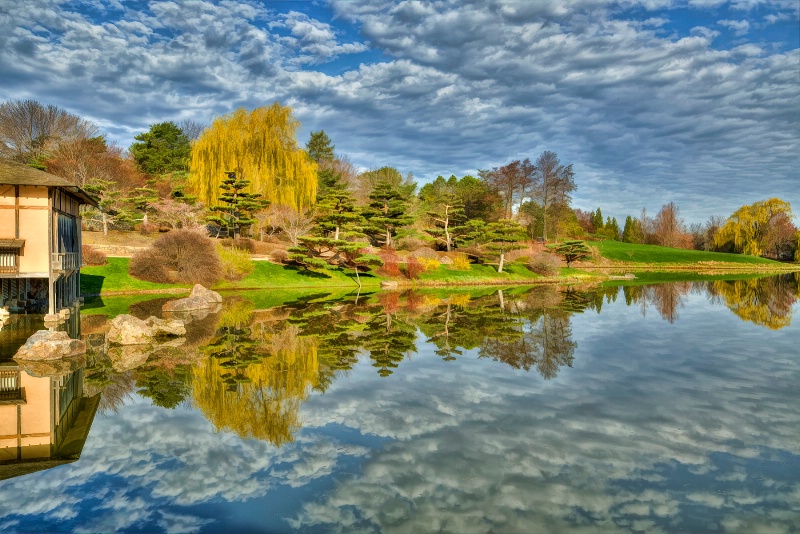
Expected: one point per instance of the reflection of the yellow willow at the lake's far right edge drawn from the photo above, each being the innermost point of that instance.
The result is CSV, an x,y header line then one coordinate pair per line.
x,y
765,302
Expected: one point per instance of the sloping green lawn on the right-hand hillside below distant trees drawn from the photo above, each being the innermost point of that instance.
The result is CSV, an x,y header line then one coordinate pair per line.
x,y
650,254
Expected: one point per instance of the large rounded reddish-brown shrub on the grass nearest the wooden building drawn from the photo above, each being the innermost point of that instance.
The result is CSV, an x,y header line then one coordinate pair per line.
x,y
182,256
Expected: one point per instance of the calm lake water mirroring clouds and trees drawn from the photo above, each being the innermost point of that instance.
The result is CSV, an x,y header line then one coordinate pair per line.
x,y
665,408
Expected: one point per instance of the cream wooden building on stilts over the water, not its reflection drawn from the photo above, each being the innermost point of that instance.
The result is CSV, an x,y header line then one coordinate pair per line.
x,y
40,237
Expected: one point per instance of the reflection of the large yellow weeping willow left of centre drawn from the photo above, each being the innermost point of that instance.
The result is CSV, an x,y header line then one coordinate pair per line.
x,y
268,394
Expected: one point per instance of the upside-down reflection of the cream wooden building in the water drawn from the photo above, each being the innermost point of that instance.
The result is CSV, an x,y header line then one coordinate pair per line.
x,y
44,421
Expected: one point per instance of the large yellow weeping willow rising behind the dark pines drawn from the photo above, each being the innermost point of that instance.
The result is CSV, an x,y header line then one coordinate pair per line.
x,y
261,146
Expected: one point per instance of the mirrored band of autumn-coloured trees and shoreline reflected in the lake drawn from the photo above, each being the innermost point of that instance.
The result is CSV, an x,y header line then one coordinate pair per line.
x,y
249,371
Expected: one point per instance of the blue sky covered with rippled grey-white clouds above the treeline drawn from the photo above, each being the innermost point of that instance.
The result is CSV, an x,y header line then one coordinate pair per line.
x,y
691,101
